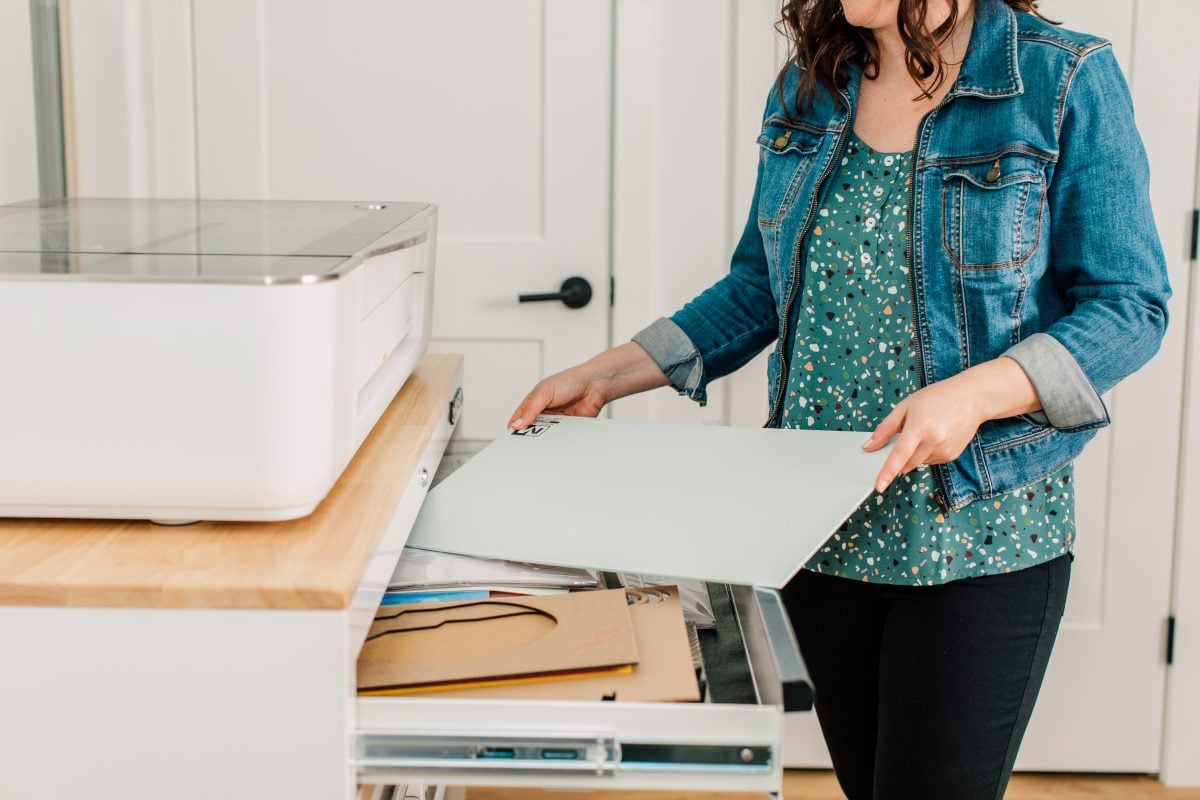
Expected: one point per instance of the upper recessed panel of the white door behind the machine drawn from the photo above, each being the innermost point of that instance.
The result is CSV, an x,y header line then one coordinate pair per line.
x,y
347,101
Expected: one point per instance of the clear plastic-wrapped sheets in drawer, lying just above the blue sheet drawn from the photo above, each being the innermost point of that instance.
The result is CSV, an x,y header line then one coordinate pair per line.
x,y
429,570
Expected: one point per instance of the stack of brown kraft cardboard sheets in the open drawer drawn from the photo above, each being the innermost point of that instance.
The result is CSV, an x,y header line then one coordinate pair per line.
x,y
625,645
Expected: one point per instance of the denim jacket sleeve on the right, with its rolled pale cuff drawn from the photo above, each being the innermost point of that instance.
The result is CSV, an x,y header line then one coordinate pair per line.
x,y
1106,255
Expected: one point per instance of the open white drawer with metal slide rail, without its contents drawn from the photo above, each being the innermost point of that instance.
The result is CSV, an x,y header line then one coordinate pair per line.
x,y
733,742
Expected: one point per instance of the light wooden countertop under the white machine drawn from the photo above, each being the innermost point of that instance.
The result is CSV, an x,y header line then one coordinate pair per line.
x,y
311,563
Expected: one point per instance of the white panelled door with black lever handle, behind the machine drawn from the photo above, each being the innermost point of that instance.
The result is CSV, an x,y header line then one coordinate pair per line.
x,y
497,112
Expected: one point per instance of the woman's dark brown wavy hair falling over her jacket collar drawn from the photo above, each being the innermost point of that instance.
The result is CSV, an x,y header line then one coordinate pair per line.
x,y
824,44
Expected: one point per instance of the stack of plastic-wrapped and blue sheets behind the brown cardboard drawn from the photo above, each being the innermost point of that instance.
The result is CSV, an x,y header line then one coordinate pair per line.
x,y
424,576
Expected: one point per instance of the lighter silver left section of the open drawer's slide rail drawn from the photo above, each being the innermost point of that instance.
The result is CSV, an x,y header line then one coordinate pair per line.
x,y
482,753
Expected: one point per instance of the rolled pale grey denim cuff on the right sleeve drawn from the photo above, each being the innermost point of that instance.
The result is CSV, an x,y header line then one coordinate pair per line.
x,y
1069,399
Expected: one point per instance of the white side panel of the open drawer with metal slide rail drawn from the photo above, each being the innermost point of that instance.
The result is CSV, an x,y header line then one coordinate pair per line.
x,y
683,747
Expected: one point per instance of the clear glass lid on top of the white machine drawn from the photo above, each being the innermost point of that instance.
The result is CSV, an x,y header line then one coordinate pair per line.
x,y
265,242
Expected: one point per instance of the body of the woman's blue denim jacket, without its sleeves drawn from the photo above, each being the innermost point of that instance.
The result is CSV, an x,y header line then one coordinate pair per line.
x,y
981,248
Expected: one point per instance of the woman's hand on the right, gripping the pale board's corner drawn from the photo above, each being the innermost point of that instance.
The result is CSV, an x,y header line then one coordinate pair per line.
x,y
937,424
